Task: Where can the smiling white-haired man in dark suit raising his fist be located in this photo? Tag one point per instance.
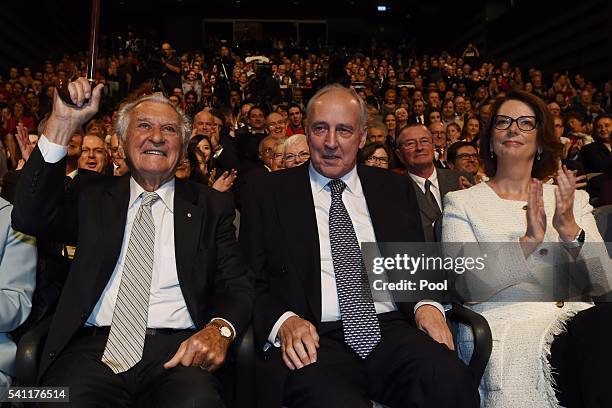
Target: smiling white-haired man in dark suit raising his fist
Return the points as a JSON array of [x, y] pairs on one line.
[[157, 290]]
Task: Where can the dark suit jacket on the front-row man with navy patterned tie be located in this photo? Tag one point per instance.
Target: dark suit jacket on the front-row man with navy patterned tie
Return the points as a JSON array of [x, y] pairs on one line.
[[280, 241]]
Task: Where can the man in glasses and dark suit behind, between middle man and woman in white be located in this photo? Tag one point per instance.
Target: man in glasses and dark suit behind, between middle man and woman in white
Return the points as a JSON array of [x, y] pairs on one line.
[[415, 151]]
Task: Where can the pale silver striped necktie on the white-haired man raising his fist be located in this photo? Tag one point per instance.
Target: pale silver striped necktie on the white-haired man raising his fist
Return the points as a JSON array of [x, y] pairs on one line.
[[128, 328]]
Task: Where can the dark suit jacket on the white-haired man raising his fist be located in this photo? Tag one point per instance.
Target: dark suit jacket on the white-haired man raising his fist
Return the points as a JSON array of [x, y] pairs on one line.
[[92, 215]]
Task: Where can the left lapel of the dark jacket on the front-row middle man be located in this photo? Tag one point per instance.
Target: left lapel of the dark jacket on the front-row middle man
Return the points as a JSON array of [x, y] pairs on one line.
[[298, 221]]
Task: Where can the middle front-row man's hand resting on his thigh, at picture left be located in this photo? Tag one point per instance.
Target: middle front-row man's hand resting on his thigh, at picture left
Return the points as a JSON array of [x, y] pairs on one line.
[[299, 342]]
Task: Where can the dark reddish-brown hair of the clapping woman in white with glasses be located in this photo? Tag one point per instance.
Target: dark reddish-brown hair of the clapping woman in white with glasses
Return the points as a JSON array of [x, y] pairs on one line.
[[548, 162]]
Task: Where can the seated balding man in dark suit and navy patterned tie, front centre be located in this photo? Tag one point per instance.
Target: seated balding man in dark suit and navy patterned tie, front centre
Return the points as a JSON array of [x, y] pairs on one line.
[[323, 340]]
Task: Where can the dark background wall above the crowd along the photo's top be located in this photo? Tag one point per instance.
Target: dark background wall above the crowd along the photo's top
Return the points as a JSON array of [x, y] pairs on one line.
[[552, 35]]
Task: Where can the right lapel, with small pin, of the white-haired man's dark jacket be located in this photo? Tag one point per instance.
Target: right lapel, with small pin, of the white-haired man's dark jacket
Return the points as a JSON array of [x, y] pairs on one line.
[[188, 220]]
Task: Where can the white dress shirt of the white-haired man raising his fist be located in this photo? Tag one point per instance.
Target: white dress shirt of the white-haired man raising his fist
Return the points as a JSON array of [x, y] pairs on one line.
[[167, 308]]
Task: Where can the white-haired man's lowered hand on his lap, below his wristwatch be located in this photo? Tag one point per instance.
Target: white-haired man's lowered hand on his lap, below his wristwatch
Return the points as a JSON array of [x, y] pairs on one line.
[[205, 349]]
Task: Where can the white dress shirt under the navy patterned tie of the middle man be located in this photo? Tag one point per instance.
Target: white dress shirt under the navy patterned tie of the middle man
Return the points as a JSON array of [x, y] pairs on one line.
[[356, 205]]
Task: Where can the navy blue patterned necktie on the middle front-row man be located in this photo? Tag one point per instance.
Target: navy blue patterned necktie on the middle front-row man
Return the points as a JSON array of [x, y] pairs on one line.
[[359, 320]]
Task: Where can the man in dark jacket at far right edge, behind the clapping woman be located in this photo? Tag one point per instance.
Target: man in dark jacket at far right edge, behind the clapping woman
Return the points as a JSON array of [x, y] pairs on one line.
[[596, 156]]
